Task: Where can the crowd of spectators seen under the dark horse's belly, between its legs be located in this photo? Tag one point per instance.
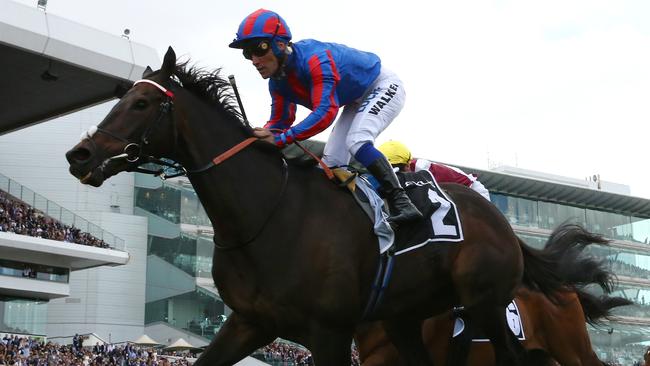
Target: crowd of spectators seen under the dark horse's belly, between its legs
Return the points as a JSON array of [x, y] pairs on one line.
[[287, 354]]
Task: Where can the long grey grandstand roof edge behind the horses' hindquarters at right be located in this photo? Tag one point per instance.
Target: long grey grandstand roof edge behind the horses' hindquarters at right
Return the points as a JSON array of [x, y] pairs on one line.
[[539, 188]]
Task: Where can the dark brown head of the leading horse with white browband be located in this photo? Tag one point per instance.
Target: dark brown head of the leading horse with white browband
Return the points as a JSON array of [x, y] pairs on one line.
[[139, 125]]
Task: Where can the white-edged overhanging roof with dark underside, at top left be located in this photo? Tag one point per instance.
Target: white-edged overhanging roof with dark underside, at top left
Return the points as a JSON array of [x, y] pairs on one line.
[[53, 66]]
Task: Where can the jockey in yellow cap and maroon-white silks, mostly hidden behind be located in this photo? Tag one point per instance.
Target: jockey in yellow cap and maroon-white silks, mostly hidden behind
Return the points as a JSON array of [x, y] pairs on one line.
[[400, 157]]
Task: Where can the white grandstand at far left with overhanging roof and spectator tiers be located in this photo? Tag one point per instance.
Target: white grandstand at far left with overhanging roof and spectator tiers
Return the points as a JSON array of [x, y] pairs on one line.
[[55, 67]]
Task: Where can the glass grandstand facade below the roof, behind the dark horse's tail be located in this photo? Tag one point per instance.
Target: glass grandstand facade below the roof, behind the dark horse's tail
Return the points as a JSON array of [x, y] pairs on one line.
[[620, 340]]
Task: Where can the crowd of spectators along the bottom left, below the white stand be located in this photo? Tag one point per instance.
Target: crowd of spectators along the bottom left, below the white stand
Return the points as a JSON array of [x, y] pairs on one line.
[[26, 351]]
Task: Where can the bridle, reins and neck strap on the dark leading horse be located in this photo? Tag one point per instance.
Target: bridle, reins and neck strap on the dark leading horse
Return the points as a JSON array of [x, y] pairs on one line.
[[133, 153]]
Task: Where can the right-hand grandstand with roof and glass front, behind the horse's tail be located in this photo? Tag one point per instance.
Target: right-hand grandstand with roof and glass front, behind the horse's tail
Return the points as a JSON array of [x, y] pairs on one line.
[[535, 203]]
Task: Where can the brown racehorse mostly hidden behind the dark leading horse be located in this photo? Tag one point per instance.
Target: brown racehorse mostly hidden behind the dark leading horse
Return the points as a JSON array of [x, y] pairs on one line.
[[553, 330]]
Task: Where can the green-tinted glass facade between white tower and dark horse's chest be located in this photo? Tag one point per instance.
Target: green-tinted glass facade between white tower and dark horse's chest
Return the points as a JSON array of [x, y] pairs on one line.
[[189, 301]]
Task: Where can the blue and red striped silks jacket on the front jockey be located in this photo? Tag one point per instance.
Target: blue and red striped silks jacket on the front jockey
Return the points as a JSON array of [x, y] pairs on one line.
[[322, 77]]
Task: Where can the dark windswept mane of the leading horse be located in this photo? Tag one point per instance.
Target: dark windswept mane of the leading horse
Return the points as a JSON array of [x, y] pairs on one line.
[[211, 87]]
